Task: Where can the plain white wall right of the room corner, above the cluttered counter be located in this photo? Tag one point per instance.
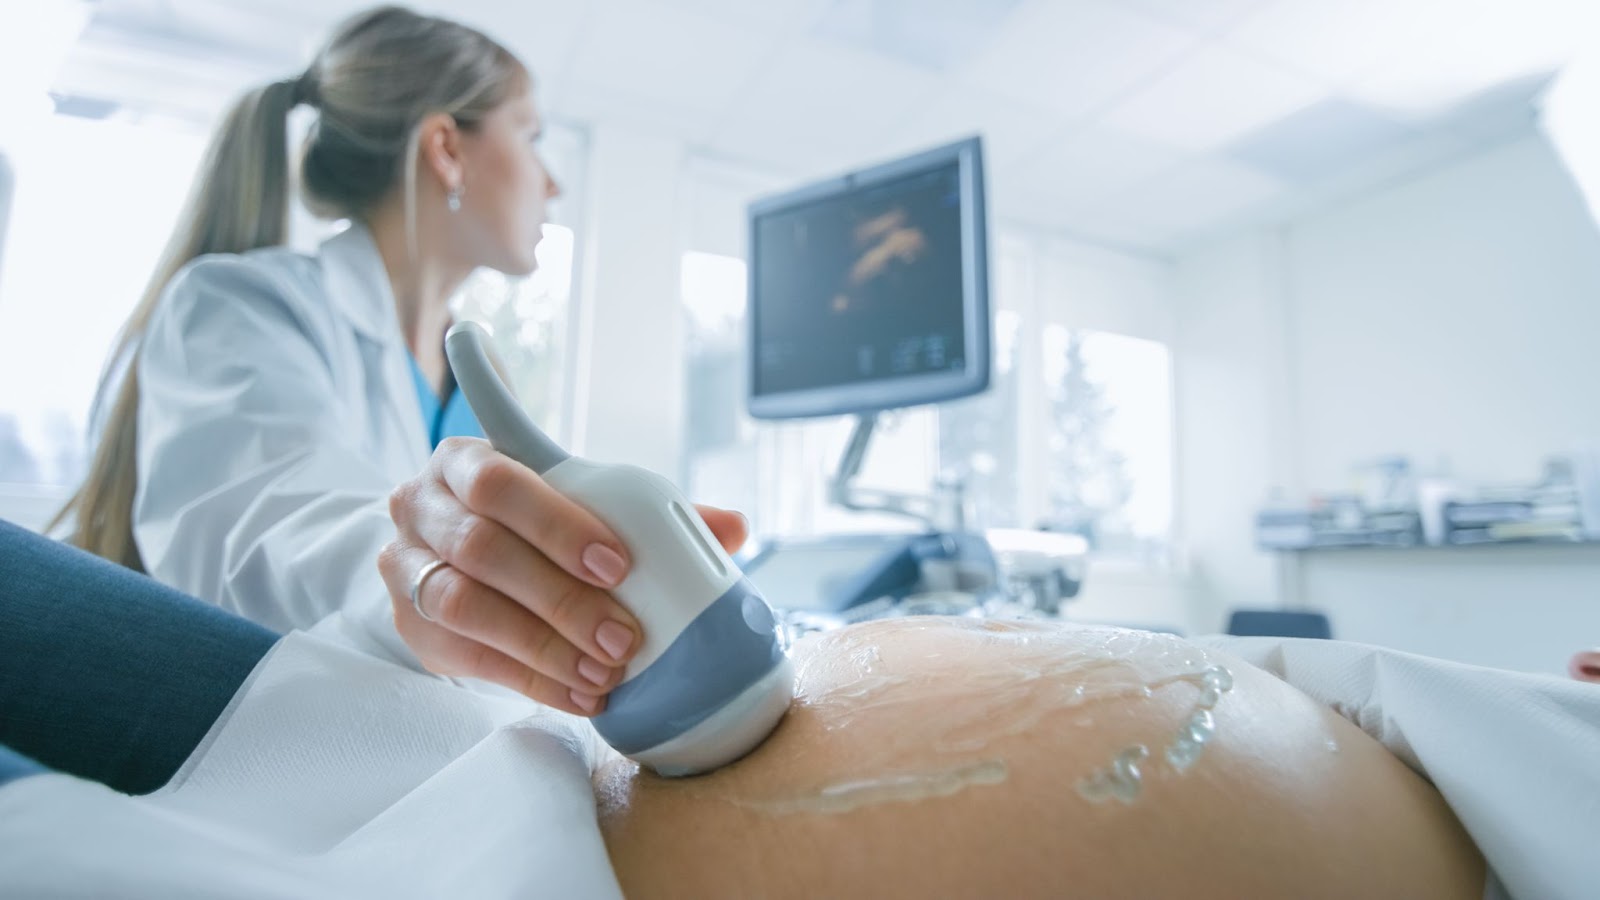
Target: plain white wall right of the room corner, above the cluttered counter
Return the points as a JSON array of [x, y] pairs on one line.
[[1452, 318]]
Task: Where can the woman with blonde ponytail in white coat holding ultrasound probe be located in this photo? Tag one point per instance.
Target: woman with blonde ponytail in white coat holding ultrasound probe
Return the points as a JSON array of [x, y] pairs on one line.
[[276, 401]]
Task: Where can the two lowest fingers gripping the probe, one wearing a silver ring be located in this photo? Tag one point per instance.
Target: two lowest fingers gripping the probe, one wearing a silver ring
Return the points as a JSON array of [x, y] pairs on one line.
[[481, 633]]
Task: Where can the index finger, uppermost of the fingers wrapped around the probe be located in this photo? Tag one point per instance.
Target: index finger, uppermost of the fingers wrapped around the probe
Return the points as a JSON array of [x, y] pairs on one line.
[[495, 486]]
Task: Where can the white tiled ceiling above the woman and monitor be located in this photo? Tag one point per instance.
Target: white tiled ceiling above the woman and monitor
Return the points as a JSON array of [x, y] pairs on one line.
[[1137, 124]]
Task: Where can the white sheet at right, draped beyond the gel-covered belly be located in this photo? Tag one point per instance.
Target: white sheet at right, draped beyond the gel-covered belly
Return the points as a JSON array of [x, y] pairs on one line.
[[1518, 757]]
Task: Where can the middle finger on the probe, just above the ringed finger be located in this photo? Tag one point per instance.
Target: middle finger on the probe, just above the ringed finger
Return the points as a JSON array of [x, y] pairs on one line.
[[497, 556]]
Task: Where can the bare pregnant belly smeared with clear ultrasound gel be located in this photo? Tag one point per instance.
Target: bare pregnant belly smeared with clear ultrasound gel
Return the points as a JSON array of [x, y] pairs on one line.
[[954, 758]]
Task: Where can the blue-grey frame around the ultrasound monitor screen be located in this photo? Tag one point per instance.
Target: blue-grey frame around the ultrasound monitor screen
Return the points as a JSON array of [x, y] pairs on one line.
[[889, 393]]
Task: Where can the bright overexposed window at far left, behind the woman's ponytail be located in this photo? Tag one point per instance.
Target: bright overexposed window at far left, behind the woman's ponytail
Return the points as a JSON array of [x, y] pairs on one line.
[[95, 204]]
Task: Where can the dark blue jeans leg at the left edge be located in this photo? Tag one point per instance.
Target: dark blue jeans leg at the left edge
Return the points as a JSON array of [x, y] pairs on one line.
[[105, 673]]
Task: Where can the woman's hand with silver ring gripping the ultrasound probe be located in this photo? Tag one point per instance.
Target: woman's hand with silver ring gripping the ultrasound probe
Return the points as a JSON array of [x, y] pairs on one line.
[[521, 597]]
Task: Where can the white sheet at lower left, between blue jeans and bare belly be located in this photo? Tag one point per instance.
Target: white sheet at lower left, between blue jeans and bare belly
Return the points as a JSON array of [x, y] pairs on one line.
[[393, 785]]
